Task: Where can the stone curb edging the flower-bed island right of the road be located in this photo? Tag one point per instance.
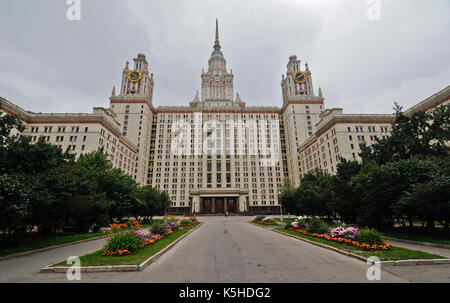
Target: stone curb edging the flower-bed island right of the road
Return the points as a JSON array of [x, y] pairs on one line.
[[411, 262]]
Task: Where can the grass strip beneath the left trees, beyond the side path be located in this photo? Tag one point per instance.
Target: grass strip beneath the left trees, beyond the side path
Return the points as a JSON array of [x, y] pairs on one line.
[[37, 242]]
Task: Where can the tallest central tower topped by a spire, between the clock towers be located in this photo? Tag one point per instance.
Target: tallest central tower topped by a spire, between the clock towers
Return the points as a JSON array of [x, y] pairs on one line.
[[217, 82]]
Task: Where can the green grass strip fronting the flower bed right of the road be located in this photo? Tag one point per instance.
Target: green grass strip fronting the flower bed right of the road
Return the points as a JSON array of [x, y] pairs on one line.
[[396, 253]]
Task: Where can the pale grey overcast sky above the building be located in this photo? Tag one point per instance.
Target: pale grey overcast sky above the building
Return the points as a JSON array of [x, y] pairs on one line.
[[50, 64]]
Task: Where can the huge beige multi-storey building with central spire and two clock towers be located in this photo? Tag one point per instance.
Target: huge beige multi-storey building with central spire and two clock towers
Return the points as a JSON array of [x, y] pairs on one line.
[[216, 154]]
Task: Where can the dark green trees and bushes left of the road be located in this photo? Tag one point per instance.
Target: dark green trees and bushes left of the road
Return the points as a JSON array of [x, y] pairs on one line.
[[42, 186]]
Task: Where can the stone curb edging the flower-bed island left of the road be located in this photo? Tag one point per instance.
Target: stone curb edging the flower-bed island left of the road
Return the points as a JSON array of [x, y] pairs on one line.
[[118, 268]]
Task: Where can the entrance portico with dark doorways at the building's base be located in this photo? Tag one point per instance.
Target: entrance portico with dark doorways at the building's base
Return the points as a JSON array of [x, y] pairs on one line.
[[219, 200]]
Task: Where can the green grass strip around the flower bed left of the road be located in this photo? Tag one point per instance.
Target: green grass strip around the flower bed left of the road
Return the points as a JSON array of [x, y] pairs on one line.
[[96, 258]]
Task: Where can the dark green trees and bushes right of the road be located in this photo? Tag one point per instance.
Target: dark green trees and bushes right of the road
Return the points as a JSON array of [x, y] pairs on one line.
[[402, 179]]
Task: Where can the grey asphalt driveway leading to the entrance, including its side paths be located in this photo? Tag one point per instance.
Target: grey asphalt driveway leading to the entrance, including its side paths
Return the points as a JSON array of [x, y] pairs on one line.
[[228, 249]]
